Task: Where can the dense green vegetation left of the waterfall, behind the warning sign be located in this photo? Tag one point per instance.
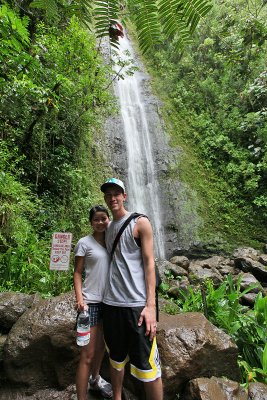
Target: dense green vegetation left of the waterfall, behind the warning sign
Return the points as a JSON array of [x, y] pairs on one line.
[[53, 103]]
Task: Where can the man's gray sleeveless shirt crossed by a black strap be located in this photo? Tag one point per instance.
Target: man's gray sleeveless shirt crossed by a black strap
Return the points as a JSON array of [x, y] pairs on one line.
[[126, 280]]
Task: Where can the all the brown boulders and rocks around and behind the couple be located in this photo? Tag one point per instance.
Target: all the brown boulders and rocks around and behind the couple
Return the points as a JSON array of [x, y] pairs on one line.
[[38, 350]]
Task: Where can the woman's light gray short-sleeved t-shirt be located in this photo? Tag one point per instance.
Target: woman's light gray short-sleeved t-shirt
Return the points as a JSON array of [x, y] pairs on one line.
[[96, 265]]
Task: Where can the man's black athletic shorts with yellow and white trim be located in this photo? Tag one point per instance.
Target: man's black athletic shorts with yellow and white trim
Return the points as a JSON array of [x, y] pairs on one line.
[[126, 341]]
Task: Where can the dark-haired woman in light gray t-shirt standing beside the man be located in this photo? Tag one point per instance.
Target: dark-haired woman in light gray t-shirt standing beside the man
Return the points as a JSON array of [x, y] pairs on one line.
[[92, 258]]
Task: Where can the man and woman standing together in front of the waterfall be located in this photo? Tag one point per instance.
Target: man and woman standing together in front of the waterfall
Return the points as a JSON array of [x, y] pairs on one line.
[[126, 285]]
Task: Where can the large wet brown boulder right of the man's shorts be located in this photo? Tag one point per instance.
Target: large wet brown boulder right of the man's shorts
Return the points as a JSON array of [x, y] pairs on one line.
[[191, 347]]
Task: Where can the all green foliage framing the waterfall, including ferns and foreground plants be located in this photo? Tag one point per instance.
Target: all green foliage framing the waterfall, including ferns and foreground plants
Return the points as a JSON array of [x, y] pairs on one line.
[[54, 99]]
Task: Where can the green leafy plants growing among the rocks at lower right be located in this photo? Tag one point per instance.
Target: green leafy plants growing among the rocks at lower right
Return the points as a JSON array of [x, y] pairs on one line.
[[247, 327]]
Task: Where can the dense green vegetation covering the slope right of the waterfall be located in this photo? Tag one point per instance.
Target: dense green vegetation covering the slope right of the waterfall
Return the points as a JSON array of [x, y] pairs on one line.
[[214, 98]]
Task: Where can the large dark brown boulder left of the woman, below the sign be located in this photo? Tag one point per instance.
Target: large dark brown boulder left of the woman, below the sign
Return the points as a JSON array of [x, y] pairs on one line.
[[40, 350]]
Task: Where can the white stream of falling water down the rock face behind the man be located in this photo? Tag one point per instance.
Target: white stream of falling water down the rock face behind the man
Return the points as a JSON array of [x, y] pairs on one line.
[[142, 183]]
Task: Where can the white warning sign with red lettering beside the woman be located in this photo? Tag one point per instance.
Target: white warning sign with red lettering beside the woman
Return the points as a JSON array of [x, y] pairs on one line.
[[60, 252]]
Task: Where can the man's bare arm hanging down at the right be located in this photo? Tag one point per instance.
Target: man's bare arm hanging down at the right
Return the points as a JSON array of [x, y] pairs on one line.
[[144, 232]]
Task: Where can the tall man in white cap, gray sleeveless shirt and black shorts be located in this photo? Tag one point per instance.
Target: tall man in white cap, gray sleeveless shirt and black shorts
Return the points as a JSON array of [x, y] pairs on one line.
[[129, 299]]
